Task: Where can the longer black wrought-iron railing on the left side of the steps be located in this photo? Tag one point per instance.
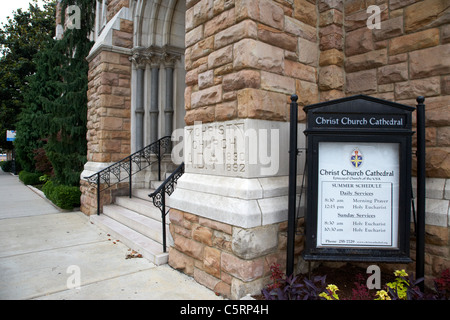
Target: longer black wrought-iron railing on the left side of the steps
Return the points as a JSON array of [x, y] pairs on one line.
[[123, 169]]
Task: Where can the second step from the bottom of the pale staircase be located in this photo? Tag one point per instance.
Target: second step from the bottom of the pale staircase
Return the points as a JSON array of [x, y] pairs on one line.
[[147, 226]]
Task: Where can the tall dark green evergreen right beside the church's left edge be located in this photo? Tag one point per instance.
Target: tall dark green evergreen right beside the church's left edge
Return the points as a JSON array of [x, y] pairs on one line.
[[52, 128]]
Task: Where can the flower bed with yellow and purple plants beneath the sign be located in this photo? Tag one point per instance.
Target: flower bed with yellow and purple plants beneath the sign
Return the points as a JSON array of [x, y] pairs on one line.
[[349, 283]]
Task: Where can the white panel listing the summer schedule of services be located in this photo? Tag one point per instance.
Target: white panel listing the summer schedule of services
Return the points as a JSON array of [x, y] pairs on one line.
[[358, 191]]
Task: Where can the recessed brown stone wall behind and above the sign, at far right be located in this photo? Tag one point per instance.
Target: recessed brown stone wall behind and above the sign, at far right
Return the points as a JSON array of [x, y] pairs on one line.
[[407, 57]]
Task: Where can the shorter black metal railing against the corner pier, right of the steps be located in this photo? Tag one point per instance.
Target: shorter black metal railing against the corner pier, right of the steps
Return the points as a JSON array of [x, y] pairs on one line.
[[159, 197]]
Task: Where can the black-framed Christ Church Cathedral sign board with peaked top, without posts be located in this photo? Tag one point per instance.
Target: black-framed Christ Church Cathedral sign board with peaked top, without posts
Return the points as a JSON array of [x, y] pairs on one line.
[[359, 180]]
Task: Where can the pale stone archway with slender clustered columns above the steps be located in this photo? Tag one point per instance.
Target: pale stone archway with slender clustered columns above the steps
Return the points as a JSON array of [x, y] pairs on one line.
[[158, 72]]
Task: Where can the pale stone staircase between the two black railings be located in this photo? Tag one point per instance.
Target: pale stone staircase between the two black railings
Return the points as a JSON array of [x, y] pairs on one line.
[[136, 222]]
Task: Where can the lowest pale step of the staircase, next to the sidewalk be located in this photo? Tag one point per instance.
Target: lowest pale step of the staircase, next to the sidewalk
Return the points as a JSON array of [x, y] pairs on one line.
[[149, 248]]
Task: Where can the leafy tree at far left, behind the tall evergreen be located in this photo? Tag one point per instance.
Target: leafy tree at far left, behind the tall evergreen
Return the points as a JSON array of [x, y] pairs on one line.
[[20, 39]]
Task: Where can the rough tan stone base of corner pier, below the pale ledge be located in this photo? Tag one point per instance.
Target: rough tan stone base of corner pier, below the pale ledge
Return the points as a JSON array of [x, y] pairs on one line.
[[230, 260]]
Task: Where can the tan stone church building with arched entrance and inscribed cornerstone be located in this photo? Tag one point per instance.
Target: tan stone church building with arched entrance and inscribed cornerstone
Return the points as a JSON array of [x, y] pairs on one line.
[[212, 71]]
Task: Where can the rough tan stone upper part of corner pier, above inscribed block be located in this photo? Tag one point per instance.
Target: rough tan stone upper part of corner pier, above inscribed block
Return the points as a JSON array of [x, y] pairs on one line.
[[243, 57]]
